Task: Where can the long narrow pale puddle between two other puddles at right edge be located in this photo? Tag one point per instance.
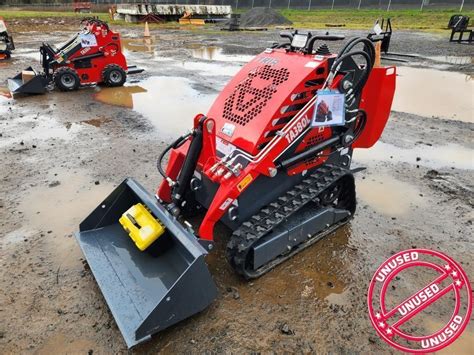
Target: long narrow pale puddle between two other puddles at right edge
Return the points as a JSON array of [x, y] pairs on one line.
[[450, 155]]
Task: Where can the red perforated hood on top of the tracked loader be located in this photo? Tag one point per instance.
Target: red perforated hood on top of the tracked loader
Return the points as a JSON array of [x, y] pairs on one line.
[[262, 92]]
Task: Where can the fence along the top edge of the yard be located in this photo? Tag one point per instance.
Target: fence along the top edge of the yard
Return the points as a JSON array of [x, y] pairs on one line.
[[387, 5]]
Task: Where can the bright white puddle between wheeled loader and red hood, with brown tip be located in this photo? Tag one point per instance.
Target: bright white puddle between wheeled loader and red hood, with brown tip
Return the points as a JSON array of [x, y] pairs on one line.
[[169, 103]]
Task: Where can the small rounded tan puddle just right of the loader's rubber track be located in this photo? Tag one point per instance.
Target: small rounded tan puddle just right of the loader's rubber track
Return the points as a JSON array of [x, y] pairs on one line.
[[388, 195]]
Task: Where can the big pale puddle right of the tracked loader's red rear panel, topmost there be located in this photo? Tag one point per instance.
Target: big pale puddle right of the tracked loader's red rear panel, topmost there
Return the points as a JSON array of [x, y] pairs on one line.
[[434, 93]]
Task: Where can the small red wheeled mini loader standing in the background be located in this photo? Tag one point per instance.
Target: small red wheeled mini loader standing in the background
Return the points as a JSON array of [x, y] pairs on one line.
[[92, 56]]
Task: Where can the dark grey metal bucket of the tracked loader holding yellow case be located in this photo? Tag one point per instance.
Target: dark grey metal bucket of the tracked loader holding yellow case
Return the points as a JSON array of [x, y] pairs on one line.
[[151, 290]]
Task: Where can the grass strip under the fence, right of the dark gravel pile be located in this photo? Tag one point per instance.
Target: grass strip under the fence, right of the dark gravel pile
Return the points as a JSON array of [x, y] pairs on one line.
[[430, 20]]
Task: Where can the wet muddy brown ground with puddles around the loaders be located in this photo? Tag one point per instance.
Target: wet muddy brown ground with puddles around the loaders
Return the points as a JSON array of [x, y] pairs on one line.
[[62, 153]]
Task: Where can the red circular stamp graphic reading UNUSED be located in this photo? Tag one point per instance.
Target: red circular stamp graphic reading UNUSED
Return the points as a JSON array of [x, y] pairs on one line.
[[450, 281]]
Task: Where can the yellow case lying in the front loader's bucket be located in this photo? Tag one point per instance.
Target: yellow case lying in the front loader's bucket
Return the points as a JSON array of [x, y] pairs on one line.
[[141, 226]]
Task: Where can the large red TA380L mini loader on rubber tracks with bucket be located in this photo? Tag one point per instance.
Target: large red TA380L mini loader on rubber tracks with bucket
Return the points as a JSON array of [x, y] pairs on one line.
[[260, 163]]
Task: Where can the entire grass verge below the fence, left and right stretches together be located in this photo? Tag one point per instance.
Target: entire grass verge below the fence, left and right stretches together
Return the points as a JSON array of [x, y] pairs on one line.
[[429, 20]]
